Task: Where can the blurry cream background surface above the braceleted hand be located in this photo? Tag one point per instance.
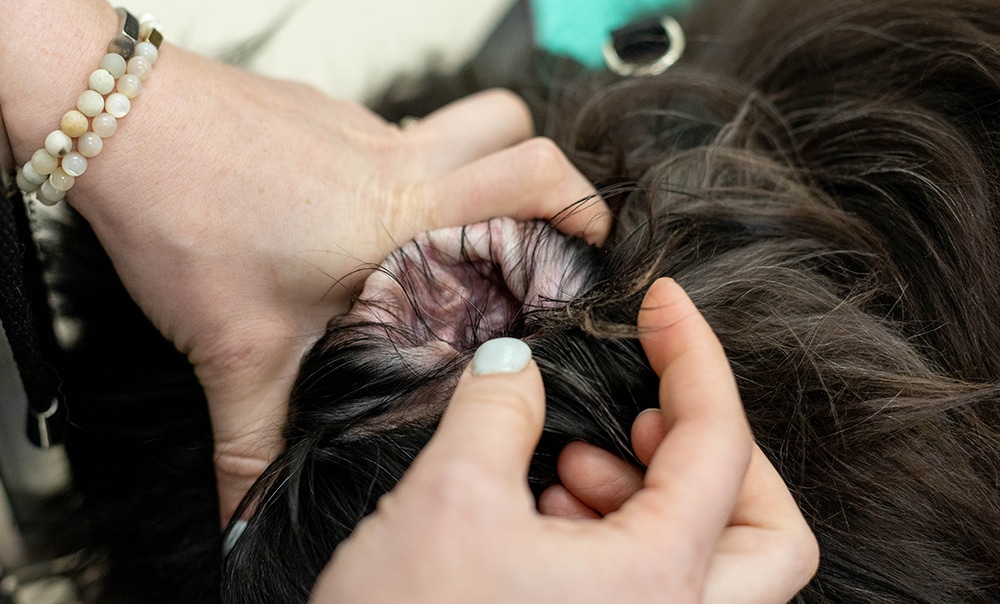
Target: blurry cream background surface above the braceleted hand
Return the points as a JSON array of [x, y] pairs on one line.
[[344, 48]]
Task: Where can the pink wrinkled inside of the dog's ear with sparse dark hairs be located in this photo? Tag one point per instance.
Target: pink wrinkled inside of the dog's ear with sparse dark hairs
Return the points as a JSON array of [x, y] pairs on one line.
[[459, 287]]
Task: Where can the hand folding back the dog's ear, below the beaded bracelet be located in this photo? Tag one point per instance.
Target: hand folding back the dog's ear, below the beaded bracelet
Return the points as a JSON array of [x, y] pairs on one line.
[[243, 265]]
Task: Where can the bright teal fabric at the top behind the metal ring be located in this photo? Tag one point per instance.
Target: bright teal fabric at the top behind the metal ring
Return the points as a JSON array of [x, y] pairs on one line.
[[578, 28]]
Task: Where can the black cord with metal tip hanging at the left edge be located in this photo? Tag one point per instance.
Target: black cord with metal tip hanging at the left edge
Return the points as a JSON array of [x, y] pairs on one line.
[[27, 321]]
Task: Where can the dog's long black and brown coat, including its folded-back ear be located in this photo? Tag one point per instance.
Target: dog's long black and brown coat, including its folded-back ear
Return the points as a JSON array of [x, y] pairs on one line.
[[822, 179]]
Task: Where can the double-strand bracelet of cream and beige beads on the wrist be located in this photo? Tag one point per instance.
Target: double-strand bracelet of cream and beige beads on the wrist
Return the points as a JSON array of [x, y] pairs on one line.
[[53, 169]]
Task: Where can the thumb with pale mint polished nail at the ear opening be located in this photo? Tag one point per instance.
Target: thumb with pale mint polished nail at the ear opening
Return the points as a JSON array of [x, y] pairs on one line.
[[496, 415]]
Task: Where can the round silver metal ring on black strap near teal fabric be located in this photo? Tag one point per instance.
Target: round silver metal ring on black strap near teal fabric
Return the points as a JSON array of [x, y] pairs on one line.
[[646, 47]]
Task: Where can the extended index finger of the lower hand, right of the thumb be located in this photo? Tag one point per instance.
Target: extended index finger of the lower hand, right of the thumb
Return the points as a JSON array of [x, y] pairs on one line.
[[695, 476]]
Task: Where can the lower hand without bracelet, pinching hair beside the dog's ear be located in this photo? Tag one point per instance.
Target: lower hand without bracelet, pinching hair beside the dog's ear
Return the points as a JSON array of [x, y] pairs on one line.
[[712, 521]]
